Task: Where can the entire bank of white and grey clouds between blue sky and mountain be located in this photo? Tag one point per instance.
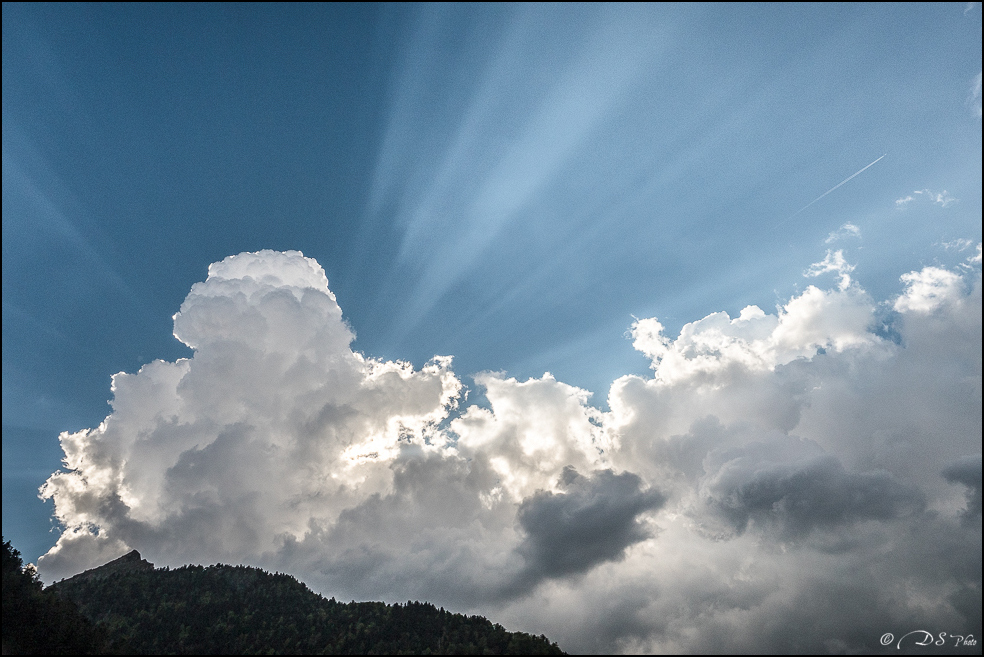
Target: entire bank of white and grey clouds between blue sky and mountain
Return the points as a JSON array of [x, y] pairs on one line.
[[802, 481]]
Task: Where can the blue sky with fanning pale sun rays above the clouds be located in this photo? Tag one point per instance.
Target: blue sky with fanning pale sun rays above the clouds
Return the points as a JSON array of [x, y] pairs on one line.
[[511, 185]]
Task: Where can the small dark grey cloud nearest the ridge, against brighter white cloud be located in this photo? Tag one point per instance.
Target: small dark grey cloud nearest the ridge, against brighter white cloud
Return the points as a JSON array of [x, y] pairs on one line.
[[594, 520]]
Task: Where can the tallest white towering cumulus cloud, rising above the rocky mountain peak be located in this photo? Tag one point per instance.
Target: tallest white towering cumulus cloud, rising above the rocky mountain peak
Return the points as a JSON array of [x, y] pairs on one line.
[[271, 430]]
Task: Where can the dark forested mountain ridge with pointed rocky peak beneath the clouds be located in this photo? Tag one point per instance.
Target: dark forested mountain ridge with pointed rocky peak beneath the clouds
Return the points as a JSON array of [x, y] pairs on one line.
[[133, 607]]
